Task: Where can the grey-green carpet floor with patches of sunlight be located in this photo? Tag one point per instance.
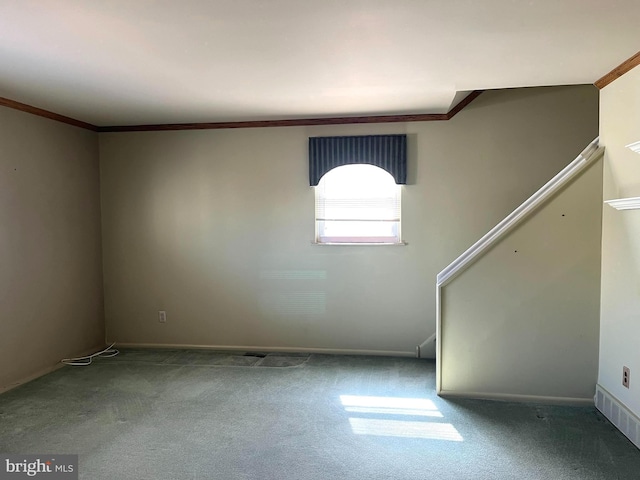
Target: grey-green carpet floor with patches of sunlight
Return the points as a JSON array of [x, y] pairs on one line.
[[172, 414]]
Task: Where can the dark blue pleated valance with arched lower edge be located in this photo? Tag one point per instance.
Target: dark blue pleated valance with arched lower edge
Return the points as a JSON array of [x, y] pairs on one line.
[[385, 151]]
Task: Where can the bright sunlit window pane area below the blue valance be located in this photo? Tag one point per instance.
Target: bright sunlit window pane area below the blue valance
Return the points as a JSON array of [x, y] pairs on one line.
[[358, 204]]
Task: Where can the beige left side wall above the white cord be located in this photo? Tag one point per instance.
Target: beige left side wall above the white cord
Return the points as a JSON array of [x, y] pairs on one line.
[[51, 302]]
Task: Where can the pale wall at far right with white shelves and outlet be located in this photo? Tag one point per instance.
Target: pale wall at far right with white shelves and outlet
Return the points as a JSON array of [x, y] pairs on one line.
[[620, 311]]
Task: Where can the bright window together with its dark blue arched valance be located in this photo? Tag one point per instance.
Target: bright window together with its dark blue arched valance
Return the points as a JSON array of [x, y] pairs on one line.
[[358, 182]]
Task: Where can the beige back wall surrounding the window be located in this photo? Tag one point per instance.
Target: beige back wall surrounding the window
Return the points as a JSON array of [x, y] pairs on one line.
[[215, 227]]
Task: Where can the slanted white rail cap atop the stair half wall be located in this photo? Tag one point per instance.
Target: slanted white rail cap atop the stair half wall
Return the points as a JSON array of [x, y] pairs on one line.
[[590, 153]]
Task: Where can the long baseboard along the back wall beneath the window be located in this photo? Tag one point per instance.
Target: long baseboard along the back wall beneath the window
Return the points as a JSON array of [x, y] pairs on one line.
[[254, 348]]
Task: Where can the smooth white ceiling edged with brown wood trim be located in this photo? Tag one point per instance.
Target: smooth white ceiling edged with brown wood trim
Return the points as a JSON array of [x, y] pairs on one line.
[[126, 62]]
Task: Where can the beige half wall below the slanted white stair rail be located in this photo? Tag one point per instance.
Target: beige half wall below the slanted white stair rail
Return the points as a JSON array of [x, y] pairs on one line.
[[524, 319]]
